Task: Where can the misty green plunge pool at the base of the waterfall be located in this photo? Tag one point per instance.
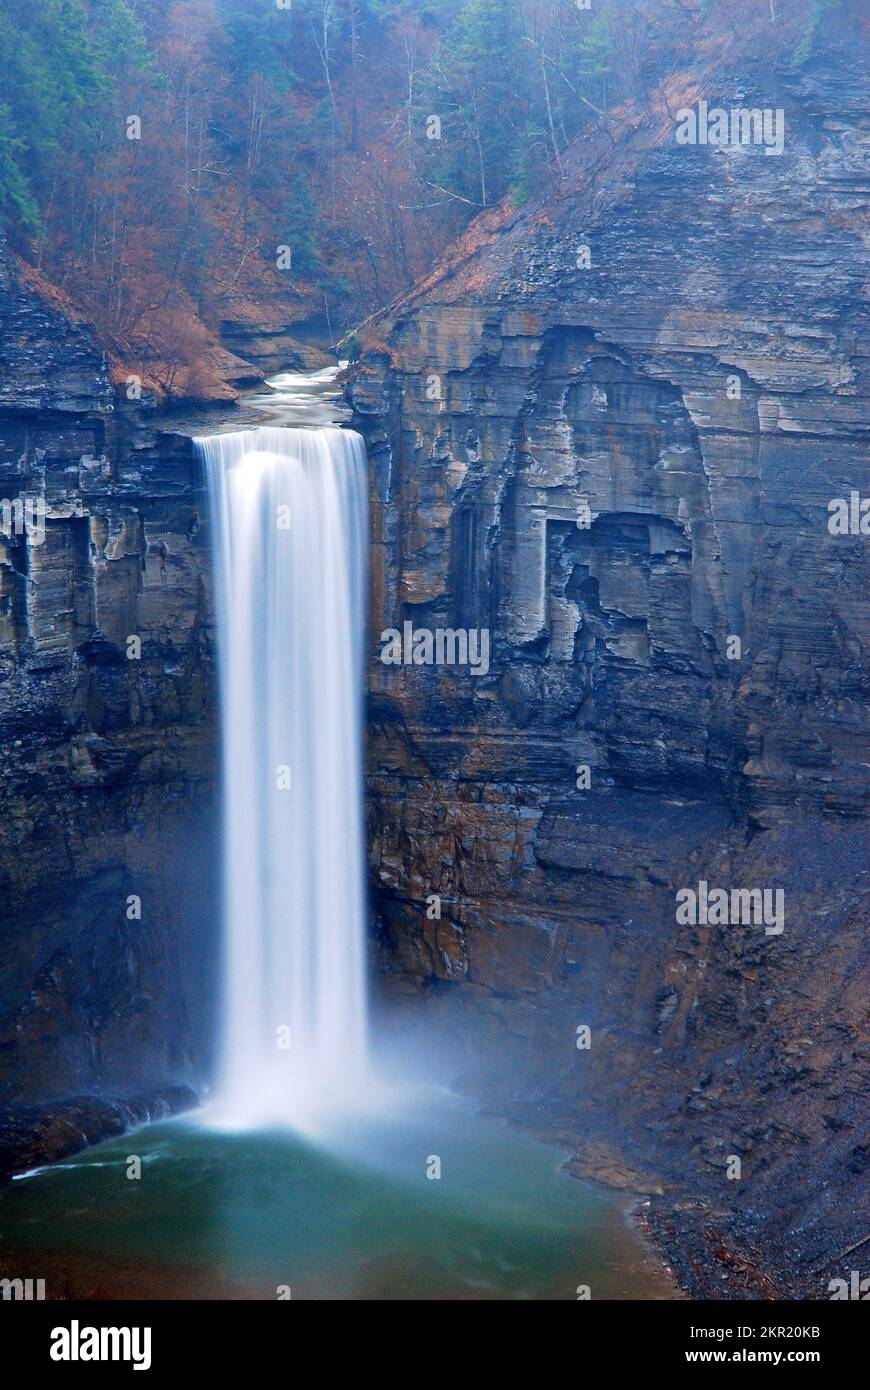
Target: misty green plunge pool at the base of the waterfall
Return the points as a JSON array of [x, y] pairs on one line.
[[254, 1216]]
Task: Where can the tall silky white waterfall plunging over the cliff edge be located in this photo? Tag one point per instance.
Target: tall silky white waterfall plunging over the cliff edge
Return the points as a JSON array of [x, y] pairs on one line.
[[288, 509]]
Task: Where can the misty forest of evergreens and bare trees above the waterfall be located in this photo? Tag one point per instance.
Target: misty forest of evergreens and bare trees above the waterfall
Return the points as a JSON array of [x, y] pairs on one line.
[[169, 163]]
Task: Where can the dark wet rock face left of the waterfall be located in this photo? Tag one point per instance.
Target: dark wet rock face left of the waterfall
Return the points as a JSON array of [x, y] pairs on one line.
[[106, 723]]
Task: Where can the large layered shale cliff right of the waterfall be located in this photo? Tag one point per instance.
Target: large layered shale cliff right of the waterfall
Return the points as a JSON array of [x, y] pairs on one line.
[[608, 429]]
